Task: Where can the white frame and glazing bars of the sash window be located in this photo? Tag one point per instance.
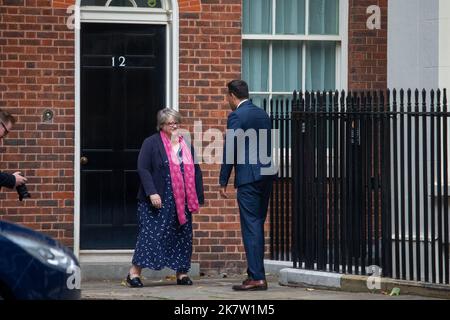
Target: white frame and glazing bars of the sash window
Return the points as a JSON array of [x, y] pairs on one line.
[[341, 48]]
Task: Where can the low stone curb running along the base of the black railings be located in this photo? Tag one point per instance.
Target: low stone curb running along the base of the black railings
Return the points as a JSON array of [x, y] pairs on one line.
[[351, 283]]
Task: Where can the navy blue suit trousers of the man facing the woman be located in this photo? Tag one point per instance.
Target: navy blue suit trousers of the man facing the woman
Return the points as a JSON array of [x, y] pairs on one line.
[[253, 200]]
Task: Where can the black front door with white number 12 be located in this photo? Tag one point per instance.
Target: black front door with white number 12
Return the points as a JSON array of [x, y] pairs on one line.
[[122, 88]]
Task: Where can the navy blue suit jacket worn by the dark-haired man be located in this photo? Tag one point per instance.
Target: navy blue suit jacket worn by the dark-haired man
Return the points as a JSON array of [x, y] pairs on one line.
[[247, 116]]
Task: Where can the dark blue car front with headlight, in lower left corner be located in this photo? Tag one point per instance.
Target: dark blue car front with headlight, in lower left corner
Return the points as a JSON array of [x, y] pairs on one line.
[[36, 267]]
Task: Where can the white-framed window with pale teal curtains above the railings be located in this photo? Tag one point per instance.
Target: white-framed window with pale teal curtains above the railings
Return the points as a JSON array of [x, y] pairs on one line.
[[291, 45]]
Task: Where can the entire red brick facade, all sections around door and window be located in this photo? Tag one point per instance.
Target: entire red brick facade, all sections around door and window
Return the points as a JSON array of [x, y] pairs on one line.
[[37, 73]]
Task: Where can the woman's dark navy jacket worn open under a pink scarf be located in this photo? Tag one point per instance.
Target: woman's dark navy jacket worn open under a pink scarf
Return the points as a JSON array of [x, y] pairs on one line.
[[153, 167]]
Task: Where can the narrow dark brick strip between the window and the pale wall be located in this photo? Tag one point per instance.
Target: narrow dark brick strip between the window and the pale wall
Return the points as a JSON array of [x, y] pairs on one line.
[[367, 48]]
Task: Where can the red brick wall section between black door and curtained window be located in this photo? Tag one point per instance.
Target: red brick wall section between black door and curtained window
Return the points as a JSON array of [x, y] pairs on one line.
[[210, 56]]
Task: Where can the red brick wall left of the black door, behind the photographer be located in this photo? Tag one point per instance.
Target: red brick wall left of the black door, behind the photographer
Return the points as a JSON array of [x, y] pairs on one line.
[[36, 73]]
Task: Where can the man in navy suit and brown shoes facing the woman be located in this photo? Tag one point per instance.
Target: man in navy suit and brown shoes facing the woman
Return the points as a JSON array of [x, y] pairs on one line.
[[248, 149]]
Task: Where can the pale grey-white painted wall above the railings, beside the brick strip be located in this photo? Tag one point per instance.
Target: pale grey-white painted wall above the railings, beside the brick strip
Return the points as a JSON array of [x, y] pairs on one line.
[[413, 43]]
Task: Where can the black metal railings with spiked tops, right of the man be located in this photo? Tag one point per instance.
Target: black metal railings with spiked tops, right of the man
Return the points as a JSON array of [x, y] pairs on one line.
[[363, 181]]
